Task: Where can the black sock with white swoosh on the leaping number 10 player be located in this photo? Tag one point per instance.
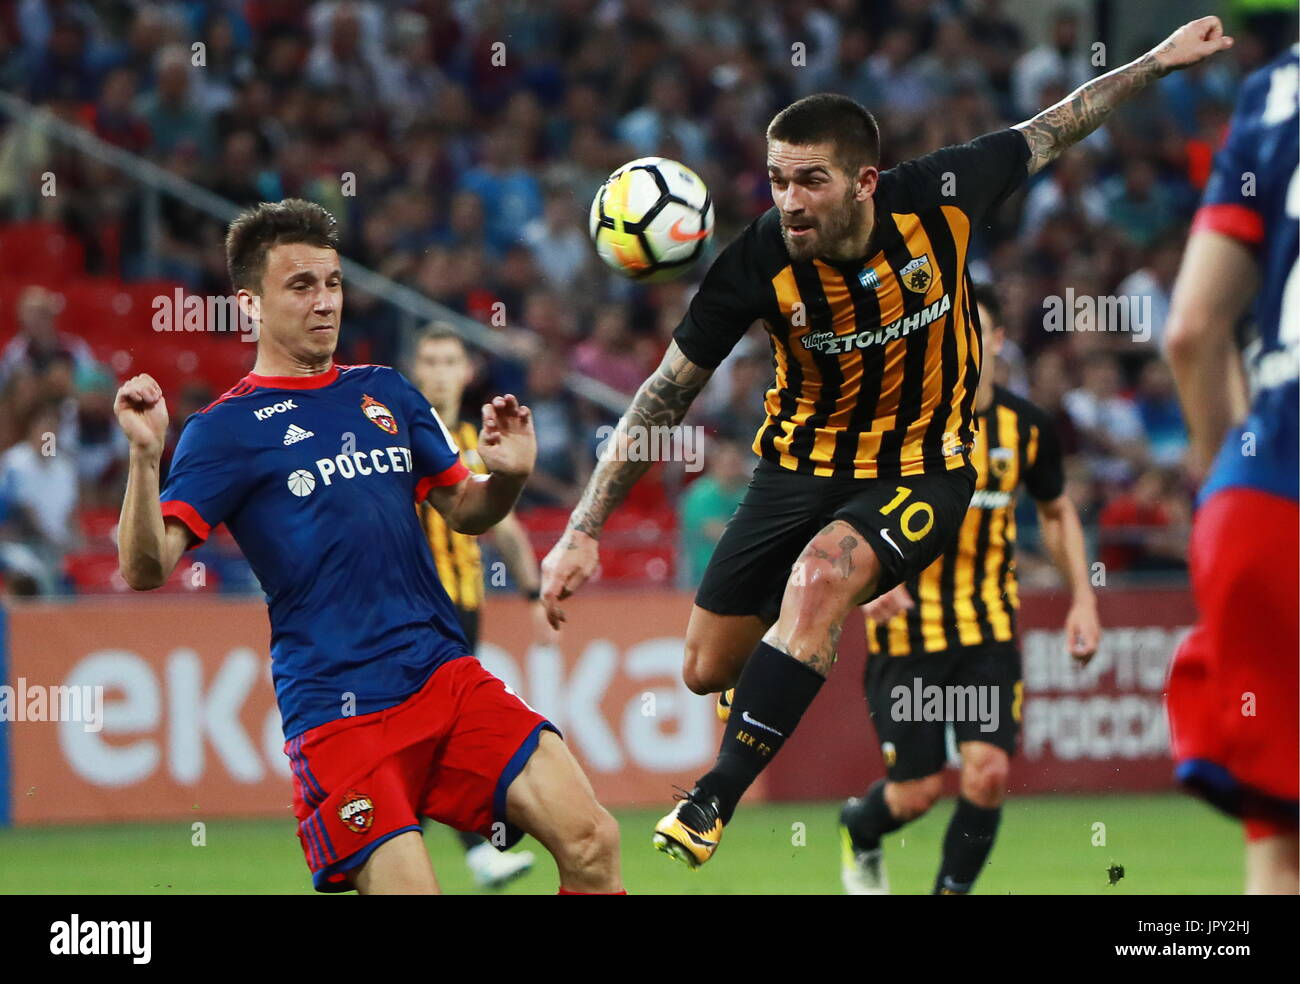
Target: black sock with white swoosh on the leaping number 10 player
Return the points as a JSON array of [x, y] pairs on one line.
[[772, 696]]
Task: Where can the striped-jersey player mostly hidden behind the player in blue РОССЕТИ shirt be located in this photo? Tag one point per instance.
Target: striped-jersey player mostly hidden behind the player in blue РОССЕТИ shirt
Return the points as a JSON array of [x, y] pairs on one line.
[[441, 371]]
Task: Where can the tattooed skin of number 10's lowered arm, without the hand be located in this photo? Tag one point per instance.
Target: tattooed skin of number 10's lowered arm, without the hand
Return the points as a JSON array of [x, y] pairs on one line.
[[662, 402]]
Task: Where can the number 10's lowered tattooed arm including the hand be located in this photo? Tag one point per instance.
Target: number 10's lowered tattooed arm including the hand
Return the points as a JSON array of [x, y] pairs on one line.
[[662, 402]]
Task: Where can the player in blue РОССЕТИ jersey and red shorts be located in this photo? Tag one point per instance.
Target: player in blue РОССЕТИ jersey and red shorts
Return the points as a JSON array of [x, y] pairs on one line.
[[356, 606]]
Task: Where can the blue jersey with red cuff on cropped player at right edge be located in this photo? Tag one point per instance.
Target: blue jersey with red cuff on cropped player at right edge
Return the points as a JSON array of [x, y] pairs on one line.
[[1254, 197]]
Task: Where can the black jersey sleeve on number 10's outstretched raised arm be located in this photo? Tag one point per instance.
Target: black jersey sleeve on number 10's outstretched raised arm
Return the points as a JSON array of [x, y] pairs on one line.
[[976, 176]]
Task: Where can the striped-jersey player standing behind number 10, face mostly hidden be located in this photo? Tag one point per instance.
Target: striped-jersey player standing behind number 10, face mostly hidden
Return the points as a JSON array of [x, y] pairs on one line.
[[955, 626]]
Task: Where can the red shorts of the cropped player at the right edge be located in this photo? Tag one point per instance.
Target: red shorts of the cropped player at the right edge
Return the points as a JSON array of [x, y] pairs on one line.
[[1232, 693]]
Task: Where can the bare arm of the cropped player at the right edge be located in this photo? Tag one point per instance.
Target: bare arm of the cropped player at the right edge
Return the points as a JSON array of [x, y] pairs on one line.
[[1215, 285]]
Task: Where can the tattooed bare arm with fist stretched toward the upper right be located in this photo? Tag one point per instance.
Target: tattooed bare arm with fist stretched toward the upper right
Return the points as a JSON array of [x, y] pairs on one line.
[[1085, 110]]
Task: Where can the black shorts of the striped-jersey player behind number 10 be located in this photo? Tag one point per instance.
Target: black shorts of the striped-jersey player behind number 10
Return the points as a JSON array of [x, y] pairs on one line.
[[978, 693]]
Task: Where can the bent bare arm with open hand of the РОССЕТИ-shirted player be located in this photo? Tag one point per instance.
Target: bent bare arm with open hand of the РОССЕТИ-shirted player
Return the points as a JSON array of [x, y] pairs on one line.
[[509, 448]]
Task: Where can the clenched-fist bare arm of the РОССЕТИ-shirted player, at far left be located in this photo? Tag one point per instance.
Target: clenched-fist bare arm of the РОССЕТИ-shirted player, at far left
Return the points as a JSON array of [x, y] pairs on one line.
[[148, 548]]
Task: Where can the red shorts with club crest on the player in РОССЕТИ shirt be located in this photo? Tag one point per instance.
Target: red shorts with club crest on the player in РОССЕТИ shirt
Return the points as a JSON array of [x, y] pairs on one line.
[[449, 753]]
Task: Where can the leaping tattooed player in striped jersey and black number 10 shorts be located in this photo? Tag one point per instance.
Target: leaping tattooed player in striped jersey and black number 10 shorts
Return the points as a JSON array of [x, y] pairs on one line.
[[860, 279]]
